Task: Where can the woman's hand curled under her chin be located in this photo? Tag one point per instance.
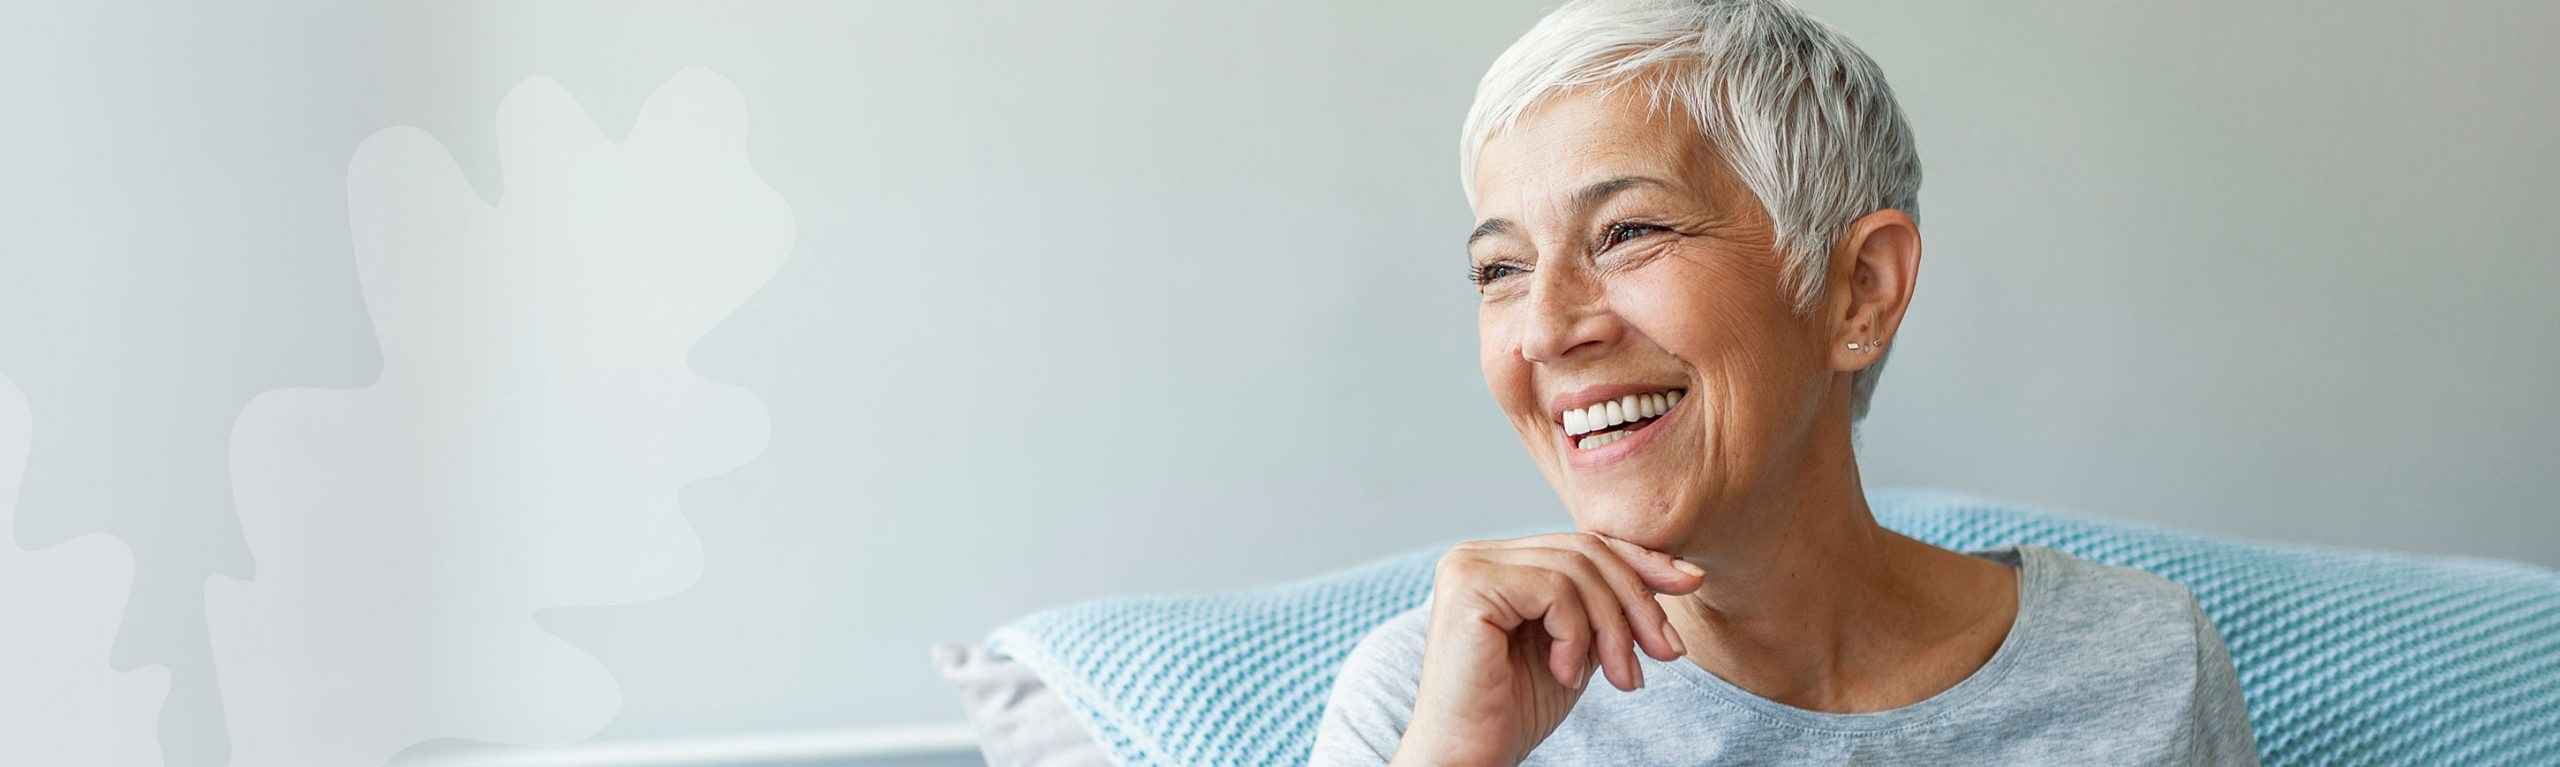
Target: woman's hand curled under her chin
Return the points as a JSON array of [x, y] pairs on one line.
[[1517, 628]]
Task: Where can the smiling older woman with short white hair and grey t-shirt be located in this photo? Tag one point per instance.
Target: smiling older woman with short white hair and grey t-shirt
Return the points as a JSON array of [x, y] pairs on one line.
[[1693, 247]]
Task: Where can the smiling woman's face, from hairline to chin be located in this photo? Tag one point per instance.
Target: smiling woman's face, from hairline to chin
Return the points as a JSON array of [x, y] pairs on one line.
[[1619, 260]]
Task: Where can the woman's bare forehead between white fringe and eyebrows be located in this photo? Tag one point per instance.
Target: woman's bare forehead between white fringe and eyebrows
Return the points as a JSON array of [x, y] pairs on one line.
[[1583, 137]]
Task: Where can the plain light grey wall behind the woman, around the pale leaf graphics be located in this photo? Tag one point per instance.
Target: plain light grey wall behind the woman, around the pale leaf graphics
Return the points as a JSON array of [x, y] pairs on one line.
[[1102, 298]]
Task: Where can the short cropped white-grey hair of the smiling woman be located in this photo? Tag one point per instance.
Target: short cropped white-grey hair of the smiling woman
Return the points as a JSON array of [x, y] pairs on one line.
[[1791, 106]]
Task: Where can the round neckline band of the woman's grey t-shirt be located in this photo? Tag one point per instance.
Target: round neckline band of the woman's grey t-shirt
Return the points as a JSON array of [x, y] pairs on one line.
[[2031, 589]]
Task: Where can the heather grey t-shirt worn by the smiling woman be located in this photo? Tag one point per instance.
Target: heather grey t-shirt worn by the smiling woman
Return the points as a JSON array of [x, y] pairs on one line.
[[2103, 666]]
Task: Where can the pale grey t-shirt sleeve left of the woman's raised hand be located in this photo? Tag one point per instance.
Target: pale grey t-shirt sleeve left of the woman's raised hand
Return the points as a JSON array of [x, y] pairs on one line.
[[1373, 697]]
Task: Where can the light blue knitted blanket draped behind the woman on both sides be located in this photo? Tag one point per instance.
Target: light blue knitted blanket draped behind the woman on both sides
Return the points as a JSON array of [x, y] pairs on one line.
[[2344, 656]]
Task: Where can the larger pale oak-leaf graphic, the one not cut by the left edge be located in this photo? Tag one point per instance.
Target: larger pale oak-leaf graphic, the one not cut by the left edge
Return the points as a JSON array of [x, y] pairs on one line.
[[524, 446]]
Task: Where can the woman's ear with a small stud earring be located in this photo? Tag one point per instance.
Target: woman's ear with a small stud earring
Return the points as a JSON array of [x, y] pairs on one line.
[[1873, 285]]
